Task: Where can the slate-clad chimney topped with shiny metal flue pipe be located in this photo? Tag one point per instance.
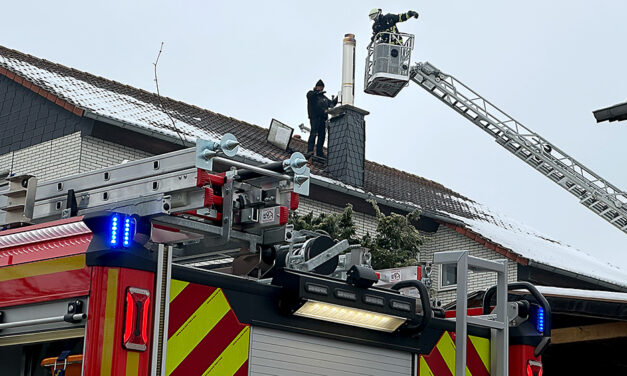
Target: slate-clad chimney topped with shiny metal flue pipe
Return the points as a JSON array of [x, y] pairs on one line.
[[346, 148]]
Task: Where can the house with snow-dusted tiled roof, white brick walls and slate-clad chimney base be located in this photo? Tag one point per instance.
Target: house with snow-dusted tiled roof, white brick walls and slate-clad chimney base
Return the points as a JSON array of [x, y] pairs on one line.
[[57, 121]]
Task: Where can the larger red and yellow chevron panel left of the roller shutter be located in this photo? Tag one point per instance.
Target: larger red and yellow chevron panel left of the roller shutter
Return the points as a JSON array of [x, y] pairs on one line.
[[204, 335]]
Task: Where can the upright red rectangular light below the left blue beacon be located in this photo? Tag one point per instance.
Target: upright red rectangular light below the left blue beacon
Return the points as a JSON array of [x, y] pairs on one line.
[[136, 318]]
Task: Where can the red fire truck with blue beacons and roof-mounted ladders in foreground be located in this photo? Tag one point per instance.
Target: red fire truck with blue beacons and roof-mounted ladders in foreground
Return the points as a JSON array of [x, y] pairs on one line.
[[185, 264]]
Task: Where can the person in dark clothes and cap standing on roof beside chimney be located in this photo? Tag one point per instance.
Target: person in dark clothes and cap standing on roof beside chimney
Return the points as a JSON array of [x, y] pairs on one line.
[[317, 106]]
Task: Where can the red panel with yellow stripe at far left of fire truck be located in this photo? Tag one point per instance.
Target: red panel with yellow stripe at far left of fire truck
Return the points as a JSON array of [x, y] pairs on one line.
[[46, 280]]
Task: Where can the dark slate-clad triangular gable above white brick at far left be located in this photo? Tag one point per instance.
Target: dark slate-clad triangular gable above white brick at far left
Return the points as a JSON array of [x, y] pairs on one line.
[[28, 119]]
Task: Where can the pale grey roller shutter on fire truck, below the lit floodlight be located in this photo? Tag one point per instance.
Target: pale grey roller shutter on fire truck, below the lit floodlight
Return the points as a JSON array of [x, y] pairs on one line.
[[280, 353]]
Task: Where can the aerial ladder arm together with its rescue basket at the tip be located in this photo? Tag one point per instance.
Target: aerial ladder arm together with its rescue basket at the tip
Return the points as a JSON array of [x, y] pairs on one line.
[[388, 70]]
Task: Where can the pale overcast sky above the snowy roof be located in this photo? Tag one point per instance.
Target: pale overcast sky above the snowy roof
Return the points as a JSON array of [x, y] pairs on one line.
[[549, 64]]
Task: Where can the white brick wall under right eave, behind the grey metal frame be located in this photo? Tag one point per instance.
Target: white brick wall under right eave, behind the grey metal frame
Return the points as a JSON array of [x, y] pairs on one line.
[[446, 239]]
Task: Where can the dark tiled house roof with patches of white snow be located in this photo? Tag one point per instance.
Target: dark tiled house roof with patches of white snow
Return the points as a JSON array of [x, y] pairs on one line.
[[110, 101]]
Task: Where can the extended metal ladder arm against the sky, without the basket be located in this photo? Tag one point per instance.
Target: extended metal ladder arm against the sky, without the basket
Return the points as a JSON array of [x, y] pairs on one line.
[[592, 191]]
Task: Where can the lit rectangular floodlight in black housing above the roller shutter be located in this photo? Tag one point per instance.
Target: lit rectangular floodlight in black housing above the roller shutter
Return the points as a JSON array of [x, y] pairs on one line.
[[322, 298]]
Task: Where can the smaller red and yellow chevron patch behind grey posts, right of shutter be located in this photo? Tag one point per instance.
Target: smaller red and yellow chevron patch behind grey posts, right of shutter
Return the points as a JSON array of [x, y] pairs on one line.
[[441, 360]]
